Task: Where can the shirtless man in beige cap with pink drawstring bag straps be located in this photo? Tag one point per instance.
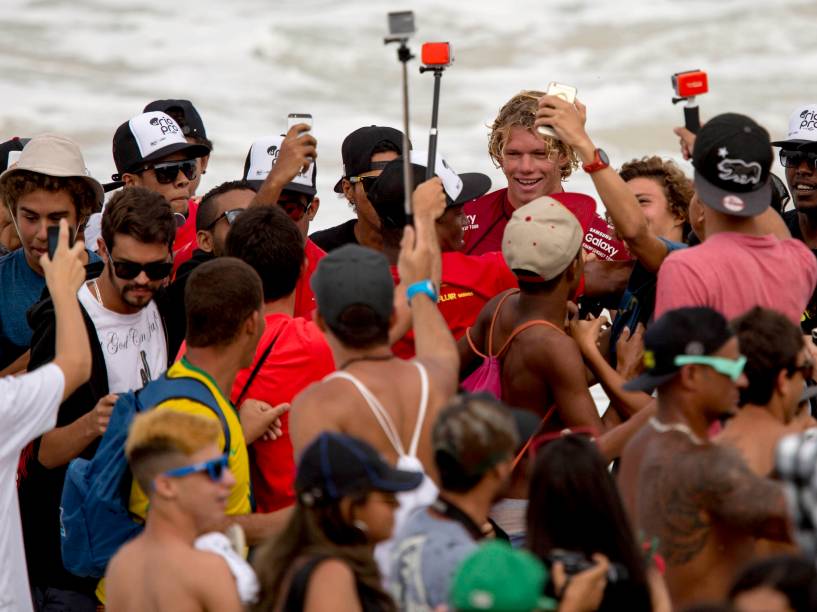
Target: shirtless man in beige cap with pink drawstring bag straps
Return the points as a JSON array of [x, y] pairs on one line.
[[542, 367]]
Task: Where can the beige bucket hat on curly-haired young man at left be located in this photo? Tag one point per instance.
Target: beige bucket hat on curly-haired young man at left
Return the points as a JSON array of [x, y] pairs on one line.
[[53, 155]]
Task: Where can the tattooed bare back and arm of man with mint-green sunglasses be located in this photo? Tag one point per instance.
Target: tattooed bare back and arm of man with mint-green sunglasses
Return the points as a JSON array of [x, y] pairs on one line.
[[703, 505]]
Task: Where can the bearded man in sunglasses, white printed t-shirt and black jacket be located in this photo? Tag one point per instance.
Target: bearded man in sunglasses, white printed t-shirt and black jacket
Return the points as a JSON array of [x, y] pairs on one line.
[[130, 346]]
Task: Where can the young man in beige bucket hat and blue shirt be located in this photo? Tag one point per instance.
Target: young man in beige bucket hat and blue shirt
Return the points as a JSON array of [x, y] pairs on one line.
[[49, 182]]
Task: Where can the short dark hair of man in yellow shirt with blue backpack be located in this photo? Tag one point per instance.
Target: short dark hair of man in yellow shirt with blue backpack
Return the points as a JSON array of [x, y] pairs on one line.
[[219, 297]]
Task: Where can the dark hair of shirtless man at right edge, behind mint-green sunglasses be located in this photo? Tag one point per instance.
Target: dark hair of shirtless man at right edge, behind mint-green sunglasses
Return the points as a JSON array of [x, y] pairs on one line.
[[770, 343]]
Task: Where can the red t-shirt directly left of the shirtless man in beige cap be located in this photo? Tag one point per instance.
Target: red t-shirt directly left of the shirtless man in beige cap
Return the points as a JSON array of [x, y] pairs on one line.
[[468, 283]]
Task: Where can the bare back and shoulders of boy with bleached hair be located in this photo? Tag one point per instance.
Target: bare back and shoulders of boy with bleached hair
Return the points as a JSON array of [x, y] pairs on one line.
[[150, 573]]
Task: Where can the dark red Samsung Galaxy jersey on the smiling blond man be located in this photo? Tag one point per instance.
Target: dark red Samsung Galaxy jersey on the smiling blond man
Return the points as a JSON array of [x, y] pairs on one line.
[[486, 218]]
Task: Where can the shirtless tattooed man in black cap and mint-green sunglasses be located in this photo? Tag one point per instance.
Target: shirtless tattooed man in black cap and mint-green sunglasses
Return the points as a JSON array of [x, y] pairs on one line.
[[699, 501]]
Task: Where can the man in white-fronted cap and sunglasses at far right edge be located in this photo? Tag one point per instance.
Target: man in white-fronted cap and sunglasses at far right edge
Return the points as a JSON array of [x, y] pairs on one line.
[[798, 155]]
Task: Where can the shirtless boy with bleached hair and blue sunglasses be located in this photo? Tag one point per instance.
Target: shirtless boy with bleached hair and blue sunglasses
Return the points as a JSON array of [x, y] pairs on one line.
[[176, 456]]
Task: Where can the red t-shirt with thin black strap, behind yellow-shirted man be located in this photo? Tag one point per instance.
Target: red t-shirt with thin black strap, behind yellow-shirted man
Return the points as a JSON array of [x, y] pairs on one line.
[[300, 357]]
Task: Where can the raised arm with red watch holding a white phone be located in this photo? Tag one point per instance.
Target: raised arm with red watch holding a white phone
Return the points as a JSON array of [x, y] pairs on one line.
[[623, 207]]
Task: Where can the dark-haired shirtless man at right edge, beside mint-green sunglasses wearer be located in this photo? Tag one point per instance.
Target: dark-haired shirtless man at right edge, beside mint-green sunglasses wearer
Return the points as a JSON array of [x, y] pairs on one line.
[[777, 365]]
